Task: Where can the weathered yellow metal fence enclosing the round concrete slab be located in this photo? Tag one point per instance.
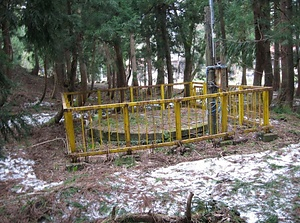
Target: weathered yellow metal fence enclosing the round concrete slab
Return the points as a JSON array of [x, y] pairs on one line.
[[147, 119]]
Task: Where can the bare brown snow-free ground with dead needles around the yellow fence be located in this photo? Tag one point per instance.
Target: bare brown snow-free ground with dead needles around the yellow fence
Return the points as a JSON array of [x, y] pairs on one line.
[[46, 146]]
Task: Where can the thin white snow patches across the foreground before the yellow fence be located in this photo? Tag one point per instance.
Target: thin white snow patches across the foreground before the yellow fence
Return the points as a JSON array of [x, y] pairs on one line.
[[257, 185]]
